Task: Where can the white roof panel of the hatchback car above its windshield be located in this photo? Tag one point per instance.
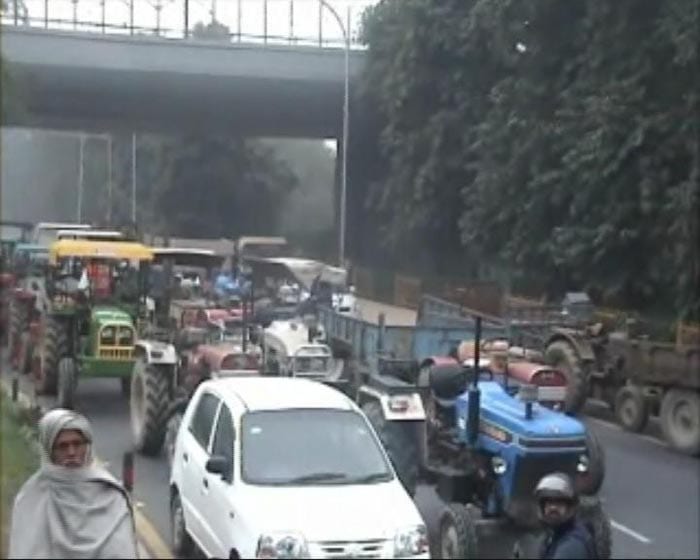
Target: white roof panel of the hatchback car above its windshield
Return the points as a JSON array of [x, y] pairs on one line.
[[279, 393]]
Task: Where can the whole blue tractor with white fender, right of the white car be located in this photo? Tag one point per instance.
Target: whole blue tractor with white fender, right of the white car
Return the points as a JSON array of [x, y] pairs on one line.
[[483, 448]]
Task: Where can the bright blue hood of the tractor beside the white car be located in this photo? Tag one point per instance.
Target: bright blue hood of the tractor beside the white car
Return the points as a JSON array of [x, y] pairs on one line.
[[500, 409]]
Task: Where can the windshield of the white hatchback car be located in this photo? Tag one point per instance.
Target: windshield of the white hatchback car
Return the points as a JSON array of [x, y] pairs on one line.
[[315, 446]]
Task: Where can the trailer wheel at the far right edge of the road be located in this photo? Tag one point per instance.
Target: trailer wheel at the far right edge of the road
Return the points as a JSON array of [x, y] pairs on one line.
[[680, 420]]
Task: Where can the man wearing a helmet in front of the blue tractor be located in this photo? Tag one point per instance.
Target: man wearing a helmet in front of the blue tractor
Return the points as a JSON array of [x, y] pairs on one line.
[[567, 537]]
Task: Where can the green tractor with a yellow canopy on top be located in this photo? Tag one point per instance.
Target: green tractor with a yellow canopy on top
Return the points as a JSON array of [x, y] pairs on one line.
[[97, 302]]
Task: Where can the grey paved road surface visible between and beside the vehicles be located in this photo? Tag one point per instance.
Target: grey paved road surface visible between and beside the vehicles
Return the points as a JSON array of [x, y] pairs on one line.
[[651, 493]]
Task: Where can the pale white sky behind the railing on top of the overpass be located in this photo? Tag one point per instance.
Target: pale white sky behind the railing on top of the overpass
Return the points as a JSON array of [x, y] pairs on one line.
[[279, 16]]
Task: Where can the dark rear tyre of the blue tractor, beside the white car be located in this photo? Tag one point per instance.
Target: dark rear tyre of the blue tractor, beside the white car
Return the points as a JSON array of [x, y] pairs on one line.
[[400, 441]]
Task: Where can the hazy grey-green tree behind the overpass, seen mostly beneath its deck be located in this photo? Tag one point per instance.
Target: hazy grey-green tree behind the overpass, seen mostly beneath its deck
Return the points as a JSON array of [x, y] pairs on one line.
[[199, 184]]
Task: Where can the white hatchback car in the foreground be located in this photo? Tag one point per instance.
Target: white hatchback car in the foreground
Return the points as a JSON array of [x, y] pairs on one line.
[[268, 467]]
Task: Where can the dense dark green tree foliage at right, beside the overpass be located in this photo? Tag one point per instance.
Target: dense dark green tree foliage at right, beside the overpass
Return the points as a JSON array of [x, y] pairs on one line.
[[558, 139]]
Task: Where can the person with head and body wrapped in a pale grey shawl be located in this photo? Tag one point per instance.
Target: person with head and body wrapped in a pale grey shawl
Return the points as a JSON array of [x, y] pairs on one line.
[[71, 508]]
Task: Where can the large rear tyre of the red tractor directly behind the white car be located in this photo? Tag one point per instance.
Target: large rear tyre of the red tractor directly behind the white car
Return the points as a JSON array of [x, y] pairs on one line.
[[148, 405]]
